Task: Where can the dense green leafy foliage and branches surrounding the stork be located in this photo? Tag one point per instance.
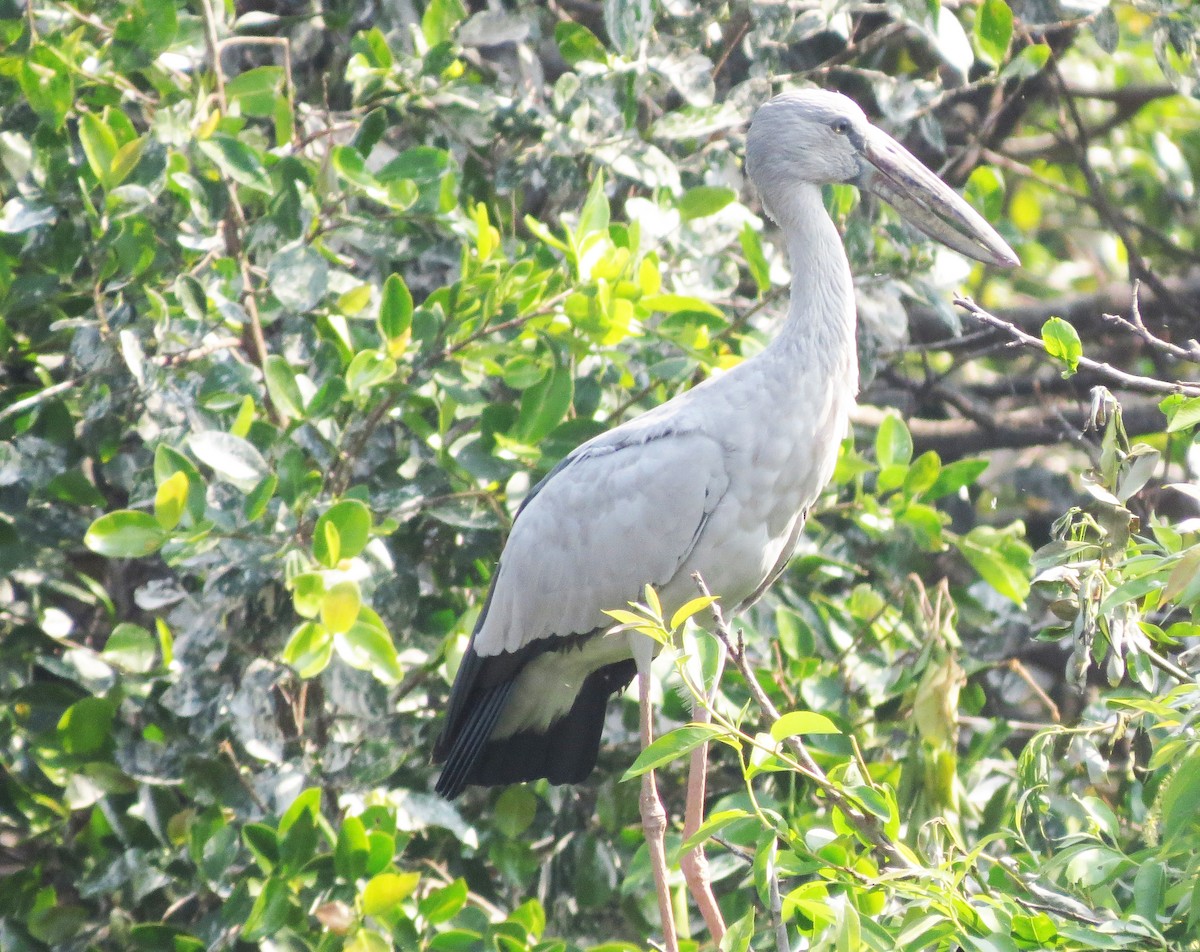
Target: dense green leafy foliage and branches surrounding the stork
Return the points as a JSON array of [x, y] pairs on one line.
[[296, 304]]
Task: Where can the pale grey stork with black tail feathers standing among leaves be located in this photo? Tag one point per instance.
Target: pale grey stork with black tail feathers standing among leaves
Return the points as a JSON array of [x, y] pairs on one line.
[[717, 481]]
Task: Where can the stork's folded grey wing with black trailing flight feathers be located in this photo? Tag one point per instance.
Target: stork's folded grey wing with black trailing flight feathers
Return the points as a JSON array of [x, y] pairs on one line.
[[623, 511]]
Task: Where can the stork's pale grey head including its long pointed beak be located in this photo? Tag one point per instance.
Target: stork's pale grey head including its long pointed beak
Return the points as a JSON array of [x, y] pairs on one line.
[[817, 137]]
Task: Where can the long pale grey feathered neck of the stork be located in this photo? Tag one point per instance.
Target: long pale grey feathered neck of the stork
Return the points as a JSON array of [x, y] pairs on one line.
[[820, 331]]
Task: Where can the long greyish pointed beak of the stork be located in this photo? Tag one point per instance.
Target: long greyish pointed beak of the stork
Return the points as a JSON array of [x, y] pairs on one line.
[[899, 178]]
